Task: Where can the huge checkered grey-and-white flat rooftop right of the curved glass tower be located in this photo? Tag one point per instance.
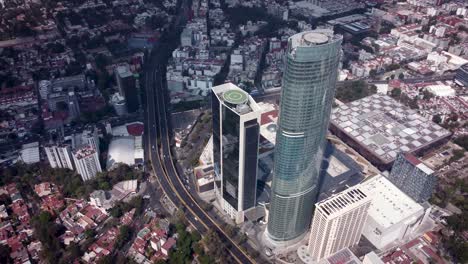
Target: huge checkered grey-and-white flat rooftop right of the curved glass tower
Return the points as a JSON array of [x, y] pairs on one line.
[[385, 127]]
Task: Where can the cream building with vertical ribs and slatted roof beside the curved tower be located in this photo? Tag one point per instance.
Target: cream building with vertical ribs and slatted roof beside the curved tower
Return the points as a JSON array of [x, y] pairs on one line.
[[338, 224]]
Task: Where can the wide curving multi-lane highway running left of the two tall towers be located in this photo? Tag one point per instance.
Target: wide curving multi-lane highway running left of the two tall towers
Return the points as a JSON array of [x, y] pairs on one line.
[[158, 149]]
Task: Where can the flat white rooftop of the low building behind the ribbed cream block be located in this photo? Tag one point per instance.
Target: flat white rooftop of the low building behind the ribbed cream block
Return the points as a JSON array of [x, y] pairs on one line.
[[389, 205]]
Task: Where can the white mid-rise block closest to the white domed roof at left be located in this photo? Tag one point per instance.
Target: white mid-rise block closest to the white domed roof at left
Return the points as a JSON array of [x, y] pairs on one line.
[[87, 162]]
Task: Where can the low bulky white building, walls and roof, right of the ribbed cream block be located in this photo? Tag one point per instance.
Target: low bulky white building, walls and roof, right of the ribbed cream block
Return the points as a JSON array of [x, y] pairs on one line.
[[393, 215]]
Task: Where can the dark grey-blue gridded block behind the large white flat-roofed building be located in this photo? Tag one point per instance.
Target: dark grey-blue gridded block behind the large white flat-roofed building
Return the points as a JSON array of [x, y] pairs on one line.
[[413, 177]]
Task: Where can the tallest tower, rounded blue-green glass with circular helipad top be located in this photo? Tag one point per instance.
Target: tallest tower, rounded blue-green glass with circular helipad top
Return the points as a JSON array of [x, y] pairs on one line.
[[309, 80]]
